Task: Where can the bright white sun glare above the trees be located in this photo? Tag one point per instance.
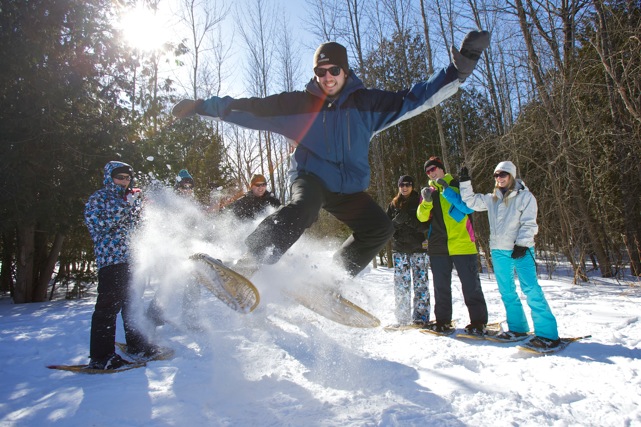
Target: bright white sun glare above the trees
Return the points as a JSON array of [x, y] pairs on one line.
[[143, 29]]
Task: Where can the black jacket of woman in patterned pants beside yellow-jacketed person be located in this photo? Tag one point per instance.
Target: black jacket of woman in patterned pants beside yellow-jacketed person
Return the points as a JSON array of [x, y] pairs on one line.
[[409, 232]]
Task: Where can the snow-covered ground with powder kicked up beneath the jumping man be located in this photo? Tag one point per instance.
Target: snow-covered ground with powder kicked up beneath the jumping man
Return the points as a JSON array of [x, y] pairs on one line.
[[283, 365]]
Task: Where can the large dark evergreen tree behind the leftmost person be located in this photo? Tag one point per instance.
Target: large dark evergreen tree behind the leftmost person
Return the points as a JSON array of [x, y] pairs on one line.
[[60, 119]]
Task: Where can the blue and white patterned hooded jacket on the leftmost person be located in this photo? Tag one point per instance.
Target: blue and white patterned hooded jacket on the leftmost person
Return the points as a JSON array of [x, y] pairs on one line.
[[111, 214]]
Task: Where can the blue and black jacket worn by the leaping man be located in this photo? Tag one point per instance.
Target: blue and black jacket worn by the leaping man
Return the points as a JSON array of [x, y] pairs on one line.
[[332, 135]]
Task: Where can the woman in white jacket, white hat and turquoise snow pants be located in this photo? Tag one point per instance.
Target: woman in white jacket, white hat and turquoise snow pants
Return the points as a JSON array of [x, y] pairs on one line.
[[512, 211]]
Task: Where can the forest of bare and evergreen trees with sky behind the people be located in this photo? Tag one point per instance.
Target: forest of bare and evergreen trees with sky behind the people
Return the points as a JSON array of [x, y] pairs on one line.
[[558, 92]]
